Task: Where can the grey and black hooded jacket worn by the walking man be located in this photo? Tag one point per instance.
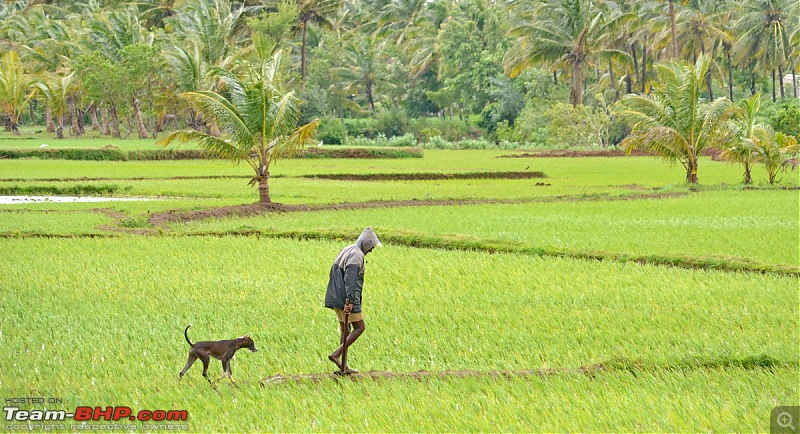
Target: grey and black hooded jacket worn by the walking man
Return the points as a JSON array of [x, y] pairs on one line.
[[347, 273]]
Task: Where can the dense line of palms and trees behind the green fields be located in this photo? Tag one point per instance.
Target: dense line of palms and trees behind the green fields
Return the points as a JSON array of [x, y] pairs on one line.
[[518, 69]]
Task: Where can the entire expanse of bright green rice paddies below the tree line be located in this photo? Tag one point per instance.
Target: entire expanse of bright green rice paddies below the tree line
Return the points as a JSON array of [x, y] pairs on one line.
[[96, 295]]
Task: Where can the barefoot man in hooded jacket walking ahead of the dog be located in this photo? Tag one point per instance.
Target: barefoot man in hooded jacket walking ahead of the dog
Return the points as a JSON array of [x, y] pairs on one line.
[[345, 283]]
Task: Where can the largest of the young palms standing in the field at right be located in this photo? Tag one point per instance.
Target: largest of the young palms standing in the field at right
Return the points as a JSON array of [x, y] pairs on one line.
[[675, 122]]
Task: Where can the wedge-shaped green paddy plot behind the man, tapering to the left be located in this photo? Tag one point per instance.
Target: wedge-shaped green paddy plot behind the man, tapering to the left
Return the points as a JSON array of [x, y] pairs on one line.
[[758, 226]]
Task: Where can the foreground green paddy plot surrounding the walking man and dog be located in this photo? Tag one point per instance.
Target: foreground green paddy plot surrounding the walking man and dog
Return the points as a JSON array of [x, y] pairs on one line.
[[113, 336]]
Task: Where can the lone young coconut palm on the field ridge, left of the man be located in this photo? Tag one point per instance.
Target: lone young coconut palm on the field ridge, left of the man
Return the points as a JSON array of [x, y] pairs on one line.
[[257, 118]]
